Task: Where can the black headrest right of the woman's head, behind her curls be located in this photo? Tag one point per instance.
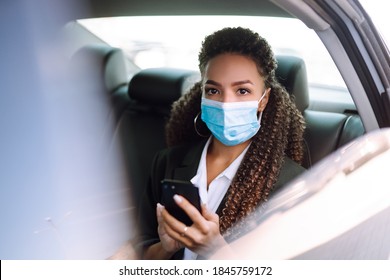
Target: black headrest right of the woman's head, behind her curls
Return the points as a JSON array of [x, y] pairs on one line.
[[291, 73]]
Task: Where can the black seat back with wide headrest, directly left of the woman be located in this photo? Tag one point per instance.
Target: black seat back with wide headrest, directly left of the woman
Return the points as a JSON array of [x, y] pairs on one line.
[[141, 126]]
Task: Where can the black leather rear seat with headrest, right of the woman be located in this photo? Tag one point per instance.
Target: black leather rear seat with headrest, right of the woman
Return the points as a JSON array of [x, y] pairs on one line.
[[325, 131]]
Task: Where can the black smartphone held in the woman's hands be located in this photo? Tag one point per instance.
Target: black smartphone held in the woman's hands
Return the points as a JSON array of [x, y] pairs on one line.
[[183, 188]]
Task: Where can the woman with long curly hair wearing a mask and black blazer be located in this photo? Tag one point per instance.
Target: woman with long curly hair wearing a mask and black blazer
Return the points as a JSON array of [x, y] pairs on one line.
[[245, 143]]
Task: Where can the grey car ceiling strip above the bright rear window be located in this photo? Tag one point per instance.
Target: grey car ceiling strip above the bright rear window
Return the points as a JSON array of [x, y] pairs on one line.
[[103, 8]]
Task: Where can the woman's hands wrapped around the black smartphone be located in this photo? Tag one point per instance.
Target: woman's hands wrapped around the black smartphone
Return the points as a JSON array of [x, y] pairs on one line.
[[203, 237]]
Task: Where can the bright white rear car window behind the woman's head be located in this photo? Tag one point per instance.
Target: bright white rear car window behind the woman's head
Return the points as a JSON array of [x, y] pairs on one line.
[[174, 41]]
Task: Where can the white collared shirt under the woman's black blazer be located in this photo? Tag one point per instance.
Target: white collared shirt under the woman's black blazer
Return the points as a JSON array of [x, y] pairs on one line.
[[217, 189]]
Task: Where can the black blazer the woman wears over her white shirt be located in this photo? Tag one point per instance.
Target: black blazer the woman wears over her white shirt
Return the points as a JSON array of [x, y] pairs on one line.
[[181, 163]]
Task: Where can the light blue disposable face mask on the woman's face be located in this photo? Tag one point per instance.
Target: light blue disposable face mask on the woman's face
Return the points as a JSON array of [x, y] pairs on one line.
[[231, 123]]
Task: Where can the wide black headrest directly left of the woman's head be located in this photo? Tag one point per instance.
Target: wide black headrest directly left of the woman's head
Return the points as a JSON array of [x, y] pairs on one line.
[[161, 86]]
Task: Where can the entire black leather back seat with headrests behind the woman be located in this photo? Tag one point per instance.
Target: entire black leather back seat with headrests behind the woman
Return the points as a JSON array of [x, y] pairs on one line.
[[141, 107]]
